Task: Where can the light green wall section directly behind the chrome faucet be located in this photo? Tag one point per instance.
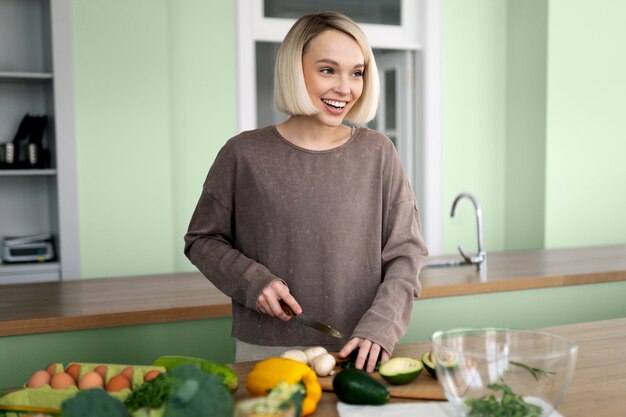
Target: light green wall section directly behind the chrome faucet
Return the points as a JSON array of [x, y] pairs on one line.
[[473, 115]]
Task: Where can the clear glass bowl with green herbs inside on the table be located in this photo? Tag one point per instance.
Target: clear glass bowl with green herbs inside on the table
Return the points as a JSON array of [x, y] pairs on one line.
[[483, 371]]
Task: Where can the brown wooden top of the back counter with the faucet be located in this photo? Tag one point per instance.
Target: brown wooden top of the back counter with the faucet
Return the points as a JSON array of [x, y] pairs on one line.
[[110, 302]]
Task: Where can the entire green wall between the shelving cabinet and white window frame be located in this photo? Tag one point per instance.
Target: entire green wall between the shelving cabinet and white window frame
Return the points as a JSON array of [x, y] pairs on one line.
[[155, 100]]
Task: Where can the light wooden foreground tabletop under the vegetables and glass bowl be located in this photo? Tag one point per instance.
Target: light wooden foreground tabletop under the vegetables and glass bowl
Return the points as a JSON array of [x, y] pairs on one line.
[[597, 388]]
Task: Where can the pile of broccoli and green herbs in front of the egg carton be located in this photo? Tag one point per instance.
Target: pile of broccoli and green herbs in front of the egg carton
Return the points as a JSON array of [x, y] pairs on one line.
[[184, 391]]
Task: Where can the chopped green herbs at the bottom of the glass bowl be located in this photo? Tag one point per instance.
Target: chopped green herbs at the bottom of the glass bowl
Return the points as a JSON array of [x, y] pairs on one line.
[[510, 405]]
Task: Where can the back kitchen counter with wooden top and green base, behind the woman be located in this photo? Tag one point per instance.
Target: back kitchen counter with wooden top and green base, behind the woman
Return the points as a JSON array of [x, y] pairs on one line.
[[136, 319]]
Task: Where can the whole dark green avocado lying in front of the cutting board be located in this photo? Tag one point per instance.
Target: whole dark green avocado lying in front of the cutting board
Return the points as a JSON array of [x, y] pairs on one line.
[[355, 386]]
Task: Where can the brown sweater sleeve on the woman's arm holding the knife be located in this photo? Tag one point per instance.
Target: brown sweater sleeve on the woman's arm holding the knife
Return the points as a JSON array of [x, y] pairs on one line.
[[210, 236]]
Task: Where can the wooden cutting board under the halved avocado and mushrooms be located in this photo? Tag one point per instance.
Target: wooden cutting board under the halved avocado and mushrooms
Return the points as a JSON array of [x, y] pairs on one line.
[[424, 387]]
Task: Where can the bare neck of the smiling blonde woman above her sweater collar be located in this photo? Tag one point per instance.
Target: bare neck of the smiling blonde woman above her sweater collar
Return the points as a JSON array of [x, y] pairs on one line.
[[307, 134]]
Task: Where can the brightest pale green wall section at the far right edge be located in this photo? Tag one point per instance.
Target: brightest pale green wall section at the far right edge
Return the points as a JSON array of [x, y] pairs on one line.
[[586, 127]]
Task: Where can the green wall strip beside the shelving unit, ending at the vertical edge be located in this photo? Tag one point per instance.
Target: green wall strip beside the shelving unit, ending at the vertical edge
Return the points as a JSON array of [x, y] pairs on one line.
[[123, 142]]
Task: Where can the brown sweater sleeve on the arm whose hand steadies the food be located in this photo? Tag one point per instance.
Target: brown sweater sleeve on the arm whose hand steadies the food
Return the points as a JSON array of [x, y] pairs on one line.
[[403, 254]]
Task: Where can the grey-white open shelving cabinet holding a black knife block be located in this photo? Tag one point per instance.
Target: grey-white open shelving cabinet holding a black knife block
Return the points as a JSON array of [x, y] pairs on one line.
[[36, 79]]
